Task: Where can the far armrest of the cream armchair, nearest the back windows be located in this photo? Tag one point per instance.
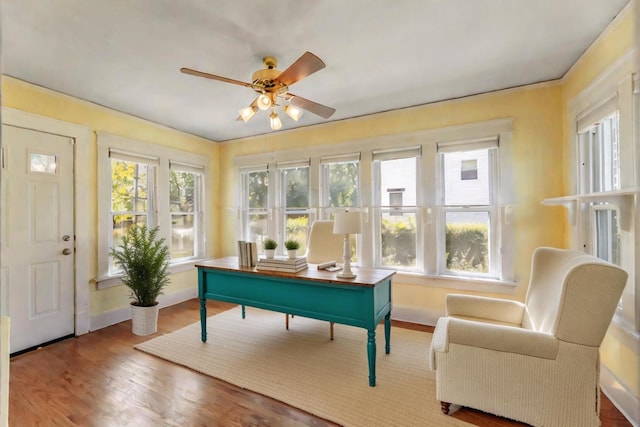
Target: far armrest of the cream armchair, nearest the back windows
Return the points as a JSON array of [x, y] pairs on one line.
[[491, 309]]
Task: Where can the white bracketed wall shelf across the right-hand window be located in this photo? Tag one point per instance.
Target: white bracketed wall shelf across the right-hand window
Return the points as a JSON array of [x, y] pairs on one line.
[[622, 199]]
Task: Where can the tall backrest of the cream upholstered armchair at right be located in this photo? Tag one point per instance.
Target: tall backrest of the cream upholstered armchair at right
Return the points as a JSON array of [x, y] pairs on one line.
[[572, 295]]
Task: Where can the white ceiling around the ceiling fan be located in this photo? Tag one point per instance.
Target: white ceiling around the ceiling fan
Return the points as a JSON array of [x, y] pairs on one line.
[[380, 55]]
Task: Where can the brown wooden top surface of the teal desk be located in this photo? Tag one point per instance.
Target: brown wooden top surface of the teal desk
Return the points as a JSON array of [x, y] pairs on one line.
[[365, 276]]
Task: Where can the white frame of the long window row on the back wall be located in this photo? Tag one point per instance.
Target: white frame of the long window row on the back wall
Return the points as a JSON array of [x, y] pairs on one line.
[[427, 207]]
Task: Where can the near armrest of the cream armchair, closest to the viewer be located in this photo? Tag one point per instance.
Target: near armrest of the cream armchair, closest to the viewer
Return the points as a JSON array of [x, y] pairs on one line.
[[493, 337]]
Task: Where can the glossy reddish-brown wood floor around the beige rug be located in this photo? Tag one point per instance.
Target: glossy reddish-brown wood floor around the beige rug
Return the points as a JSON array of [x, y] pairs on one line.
[[98, 379]]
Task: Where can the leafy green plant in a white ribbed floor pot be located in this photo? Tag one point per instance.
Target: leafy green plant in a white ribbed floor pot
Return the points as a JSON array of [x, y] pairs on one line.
[[144, 260]]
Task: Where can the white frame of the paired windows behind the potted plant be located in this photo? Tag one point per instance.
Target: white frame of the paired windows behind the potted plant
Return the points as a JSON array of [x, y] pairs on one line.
[[160, 215]]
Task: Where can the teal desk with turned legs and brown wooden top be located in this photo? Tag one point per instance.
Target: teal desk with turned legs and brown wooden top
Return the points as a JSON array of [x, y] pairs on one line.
[[319, 294]]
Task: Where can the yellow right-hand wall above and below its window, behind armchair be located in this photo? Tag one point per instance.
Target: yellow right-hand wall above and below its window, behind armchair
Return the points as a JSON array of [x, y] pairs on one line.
[[621, 356]]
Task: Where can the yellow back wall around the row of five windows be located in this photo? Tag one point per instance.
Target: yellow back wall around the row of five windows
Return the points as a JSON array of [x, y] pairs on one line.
[[537, 134]]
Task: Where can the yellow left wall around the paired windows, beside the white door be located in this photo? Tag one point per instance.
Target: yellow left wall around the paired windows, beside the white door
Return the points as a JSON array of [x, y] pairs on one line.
[[33, 99]]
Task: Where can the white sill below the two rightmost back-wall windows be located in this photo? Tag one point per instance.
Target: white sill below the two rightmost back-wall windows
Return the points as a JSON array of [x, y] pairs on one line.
[[456, 282]]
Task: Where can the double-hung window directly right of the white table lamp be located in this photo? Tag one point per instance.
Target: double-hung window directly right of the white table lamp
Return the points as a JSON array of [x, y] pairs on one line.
[[396, 174]]
